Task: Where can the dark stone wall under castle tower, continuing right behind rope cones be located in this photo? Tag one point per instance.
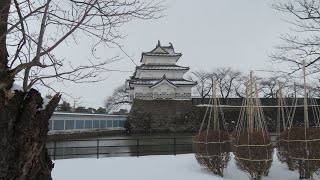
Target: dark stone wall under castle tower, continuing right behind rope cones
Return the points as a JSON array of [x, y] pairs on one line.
[[183, 115]]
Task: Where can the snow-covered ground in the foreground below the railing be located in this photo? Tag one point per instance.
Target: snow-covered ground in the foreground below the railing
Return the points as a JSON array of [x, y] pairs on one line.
[[167, 167]]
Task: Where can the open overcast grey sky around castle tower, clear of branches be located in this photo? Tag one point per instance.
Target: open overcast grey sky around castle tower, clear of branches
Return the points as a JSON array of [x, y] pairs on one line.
[[209, 34]]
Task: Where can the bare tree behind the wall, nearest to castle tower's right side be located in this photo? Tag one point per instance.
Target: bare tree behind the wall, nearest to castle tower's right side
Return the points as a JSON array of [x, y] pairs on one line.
[[204, 83]]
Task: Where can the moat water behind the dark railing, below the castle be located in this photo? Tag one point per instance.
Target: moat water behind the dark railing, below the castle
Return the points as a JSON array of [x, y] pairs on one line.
[[114, 146]]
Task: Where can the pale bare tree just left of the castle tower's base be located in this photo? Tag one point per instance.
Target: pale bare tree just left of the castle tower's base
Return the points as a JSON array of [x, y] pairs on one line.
[[118, 98]]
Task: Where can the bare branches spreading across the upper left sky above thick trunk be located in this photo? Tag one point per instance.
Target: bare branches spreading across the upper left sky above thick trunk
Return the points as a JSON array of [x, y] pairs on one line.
[[34, 29]]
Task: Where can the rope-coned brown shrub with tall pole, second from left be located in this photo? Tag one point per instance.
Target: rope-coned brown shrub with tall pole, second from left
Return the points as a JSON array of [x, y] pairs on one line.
[[252, 144]]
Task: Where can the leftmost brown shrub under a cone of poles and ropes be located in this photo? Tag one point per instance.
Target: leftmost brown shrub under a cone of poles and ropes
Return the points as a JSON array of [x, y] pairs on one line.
[[212, 145]]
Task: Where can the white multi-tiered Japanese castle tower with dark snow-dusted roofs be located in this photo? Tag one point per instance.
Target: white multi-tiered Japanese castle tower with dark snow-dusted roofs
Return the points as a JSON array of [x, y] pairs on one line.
[[158, 76]]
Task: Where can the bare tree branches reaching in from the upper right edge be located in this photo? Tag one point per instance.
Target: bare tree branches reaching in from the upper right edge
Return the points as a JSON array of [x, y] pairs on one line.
[[303, 42]]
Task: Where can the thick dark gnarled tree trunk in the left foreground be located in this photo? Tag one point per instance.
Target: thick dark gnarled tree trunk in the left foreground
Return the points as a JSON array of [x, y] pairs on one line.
[[23, 132]]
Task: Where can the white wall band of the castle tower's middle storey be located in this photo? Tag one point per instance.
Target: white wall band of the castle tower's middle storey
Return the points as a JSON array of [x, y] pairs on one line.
[[145, 74]]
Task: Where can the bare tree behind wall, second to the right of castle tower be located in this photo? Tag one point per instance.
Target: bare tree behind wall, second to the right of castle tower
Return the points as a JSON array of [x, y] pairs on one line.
[[225, 77]]
